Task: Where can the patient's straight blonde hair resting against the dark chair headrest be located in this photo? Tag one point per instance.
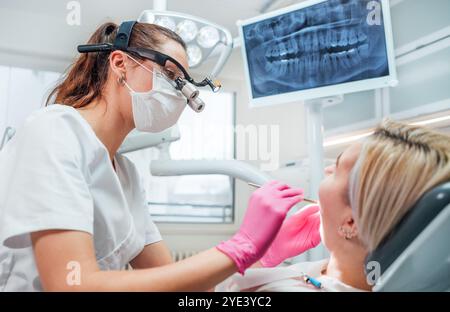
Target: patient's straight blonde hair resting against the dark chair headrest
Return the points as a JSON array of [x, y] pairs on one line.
[[397, 165]]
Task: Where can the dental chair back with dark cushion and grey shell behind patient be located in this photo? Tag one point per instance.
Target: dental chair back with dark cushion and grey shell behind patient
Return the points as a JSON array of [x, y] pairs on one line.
[[415, 256]]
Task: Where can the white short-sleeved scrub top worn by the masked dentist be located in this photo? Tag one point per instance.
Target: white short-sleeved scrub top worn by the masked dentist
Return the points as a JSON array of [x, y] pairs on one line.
[[56, 174]]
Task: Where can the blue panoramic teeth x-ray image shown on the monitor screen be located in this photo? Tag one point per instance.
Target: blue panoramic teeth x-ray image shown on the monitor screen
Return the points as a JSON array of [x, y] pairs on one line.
[[325, 44]]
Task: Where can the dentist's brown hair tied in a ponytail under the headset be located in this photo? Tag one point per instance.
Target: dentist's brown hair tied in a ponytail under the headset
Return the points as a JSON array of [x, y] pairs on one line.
[[85, 79]]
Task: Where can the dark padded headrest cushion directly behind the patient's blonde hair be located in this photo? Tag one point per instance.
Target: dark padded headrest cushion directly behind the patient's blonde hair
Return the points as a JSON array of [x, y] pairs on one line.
[[411, 225]]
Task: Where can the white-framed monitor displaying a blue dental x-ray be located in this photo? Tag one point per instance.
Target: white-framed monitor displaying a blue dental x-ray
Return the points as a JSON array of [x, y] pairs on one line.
[[317, 49]]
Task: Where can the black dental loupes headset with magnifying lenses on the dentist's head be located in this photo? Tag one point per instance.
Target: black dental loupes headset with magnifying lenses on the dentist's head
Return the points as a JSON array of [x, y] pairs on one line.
[[187, 85]]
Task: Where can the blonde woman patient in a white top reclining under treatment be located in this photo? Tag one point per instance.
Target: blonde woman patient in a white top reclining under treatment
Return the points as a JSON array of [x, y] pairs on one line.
[[364, 195]]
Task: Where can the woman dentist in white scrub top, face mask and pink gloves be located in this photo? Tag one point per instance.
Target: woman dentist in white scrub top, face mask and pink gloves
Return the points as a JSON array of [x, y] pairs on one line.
[[73, 213]]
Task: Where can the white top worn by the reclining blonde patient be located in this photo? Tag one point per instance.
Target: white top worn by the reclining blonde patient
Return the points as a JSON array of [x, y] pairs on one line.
[[284, 279]]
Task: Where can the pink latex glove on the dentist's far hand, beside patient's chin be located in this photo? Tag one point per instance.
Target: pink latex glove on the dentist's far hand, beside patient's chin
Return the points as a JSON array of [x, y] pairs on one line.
[[298, 233]]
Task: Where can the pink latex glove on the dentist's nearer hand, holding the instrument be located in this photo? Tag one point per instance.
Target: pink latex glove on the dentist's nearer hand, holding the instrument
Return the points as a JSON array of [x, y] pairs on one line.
[[266, 211]]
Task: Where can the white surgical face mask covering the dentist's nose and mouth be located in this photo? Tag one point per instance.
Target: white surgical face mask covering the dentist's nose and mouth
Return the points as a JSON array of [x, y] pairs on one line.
[[159, 108]]
